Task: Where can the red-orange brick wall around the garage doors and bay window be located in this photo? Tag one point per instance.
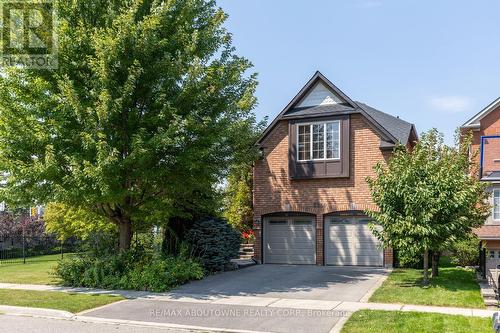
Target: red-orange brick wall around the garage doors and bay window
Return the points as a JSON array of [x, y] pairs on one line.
[[275, 192]]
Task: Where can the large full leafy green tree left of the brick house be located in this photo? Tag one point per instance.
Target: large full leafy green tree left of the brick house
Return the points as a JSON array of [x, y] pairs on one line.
[[141, 115]]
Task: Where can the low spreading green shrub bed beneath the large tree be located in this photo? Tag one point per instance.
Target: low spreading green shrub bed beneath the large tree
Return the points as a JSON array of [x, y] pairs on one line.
[[128, 270]]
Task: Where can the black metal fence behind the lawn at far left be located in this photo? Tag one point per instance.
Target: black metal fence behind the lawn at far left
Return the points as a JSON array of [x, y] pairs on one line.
[[23, 249]]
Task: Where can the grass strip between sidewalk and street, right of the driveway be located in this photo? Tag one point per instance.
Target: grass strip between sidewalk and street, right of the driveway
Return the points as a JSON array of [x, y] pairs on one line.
[[368, 321]]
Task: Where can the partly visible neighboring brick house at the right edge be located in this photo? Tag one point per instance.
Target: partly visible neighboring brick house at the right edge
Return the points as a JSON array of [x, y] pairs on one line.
[[485, 127]]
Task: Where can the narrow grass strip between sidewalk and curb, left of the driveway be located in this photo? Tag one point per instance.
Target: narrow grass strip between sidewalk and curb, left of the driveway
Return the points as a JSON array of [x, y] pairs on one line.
[[54, 300]]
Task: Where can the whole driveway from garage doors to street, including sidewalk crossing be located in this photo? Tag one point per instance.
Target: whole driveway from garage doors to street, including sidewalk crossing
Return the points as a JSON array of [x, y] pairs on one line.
[[263, 298]]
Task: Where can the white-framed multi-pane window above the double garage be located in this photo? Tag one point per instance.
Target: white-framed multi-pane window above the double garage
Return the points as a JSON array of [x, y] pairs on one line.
[[318, 141]]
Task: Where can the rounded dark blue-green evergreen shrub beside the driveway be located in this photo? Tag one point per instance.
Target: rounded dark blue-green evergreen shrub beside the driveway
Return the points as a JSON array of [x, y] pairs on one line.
[[215, 242]]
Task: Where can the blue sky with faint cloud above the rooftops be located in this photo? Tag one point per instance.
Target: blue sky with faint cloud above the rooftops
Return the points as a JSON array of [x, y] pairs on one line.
[[433, 63]]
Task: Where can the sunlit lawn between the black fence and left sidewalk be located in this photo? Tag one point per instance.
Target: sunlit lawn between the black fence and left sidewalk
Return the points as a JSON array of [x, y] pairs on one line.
[[37, 270]]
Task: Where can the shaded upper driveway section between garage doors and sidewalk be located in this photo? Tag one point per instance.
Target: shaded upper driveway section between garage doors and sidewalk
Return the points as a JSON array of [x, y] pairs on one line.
[[330, 283]]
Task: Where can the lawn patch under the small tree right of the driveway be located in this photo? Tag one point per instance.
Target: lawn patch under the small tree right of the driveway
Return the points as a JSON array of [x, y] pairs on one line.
[[454, 287]]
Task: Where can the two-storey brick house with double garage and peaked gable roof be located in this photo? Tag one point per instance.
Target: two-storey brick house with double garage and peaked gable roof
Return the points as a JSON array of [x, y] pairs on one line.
[[310, 188]]
